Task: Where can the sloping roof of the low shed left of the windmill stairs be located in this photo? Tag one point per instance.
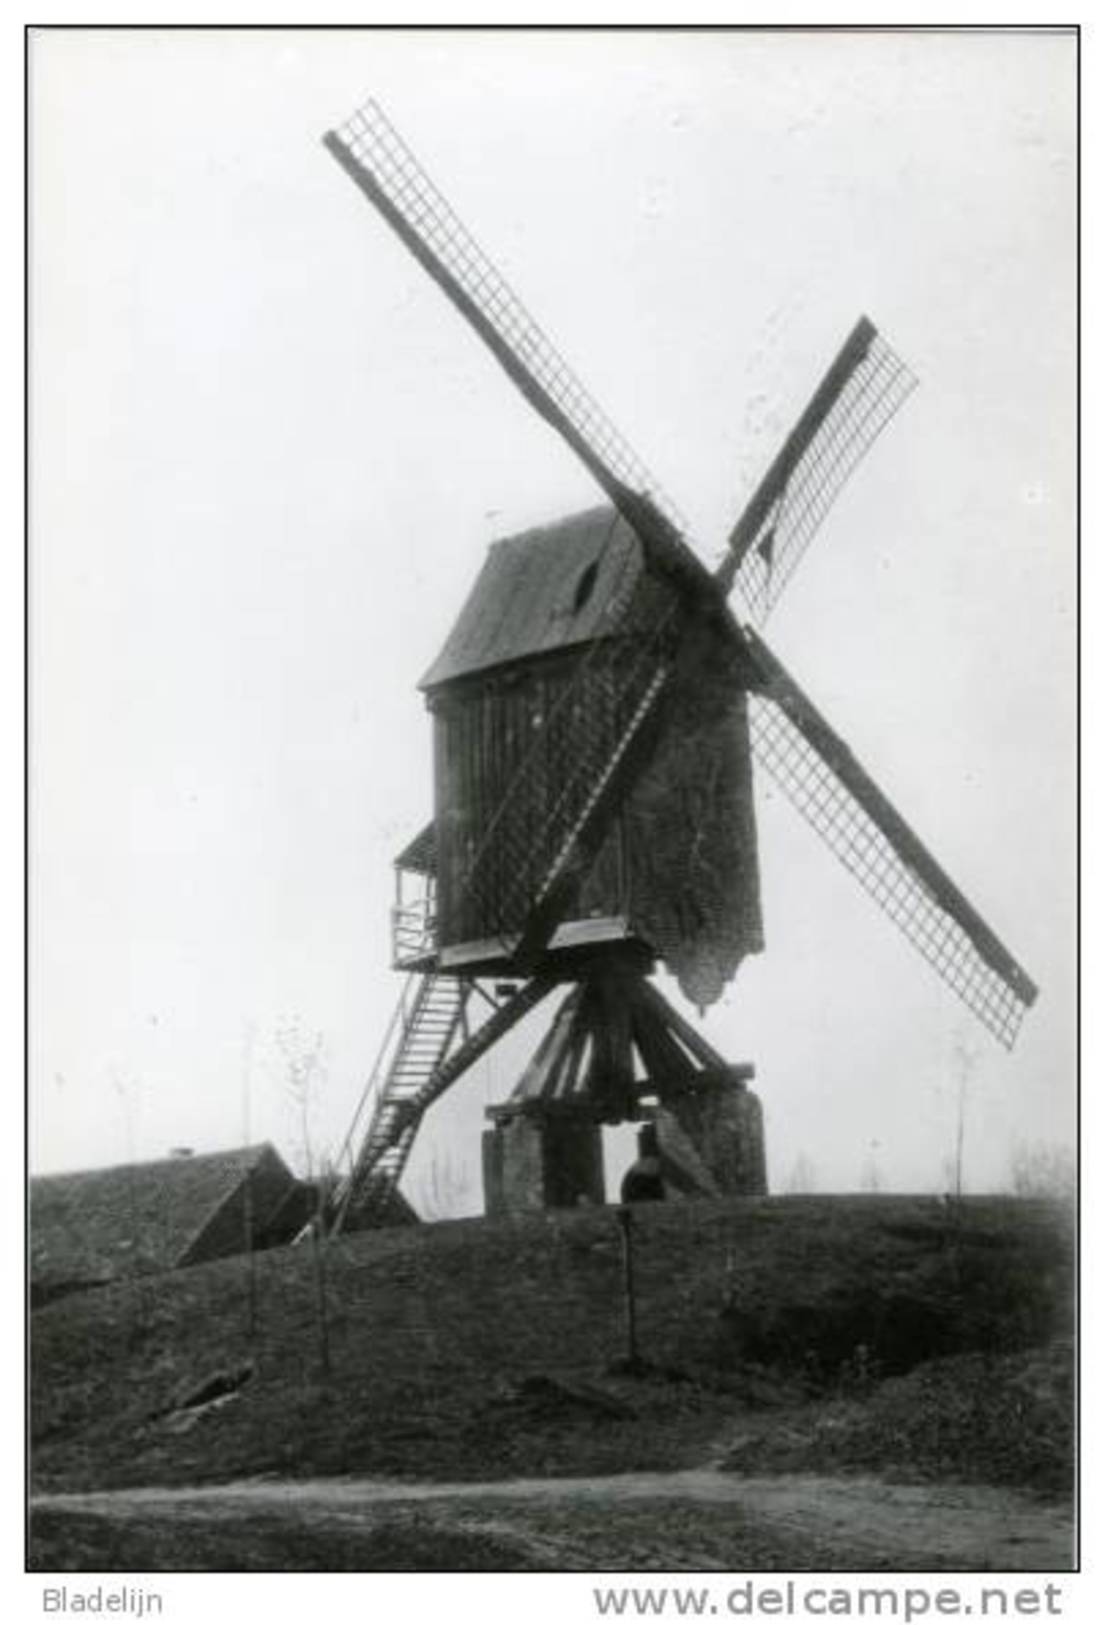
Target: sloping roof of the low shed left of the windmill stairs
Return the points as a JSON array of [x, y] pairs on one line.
[[131, 1220]]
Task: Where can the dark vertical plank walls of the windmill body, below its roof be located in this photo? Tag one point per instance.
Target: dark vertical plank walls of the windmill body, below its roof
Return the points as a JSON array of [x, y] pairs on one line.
[[680, 864]]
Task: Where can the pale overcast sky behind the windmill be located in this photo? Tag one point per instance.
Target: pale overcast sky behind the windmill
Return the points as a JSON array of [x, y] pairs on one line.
[[267, 461]]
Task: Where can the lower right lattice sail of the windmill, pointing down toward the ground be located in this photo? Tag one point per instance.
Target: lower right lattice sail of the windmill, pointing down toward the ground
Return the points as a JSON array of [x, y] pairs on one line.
[[823, 779]]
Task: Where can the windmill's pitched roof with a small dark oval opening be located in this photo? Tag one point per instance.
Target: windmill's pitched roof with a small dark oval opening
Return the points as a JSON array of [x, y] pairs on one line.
[[548, 589]]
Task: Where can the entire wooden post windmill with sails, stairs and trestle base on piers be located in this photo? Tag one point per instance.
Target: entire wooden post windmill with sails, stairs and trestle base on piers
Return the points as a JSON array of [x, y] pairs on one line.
[[597, 709]]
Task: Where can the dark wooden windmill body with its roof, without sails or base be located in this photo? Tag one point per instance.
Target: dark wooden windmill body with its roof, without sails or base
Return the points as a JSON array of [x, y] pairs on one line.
[[532, 659]]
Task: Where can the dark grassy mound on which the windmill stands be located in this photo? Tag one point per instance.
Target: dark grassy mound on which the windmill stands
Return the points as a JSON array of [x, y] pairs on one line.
[[485, 1350]]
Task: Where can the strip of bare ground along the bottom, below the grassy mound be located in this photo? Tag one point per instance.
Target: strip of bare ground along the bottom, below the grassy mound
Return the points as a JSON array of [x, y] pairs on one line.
[[695, 1520]]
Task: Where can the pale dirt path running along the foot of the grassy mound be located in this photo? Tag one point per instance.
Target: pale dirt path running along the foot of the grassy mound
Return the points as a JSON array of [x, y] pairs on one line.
[[654, 1519]]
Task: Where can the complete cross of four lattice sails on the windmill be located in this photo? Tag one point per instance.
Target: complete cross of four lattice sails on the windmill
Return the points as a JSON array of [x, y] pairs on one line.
[[579, 771]]
